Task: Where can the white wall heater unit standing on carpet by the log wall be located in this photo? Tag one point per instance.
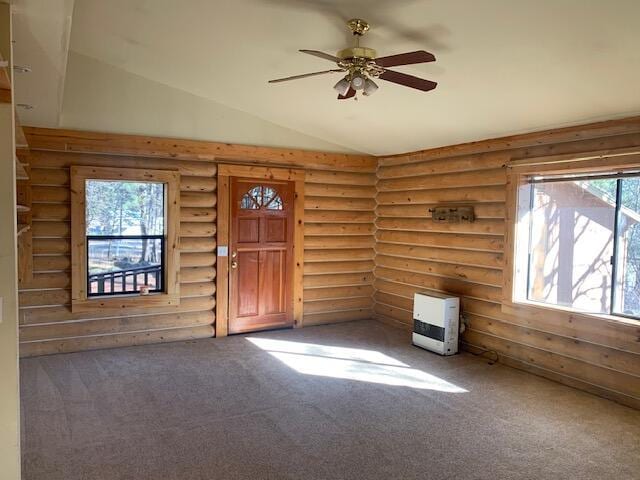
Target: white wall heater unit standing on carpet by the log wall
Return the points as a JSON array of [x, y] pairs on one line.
[[436, 322]]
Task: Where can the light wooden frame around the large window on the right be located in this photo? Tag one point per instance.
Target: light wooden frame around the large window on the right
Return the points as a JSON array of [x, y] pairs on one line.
[[515, 294]]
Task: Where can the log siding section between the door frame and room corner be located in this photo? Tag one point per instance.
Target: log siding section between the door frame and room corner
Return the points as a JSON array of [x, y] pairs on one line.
[[339, 246]]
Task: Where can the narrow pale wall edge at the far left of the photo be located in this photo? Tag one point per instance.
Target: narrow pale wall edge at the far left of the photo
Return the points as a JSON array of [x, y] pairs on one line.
[[9, 393]]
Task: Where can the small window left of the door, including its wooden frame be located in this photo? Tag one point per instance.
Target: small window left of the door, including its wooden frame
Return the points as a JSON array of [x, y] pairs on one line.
[[124, 229]]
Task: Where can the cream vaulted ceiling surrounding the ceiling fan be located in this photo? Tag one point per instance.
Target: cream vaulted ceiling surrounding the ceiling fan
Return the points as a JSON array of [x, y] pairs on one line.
[[503, 67]]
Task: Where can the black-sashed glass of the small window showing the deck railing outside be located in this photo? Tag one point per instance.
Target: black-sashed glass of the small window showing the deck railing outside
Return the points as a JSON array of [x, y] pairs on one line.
[[125, 228]]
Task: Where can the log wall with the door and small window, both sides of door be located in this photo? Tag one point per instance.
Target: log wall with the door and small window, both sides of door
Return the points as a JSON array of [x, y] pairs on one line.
[[338, 245]]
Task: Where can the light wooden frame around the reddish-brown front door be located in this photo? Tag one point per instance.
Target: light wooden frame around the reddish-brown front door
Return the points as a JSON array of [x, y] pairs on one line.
[[223, 236]]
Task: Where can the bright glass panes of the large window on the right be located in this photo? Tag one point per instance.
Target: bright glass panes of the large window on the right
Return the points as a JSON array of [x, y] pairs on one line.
[[582, 247]]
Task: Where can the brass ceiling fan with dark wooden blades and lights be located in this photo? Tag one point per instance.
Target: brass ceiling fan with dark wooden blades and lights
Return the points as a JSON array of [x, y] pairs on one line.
[[361, 65]]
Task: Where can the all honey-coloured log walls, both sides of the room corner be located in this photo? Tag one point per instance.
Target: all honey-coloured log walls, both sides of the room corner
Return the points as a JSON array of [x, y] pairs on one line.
[[369, 245]]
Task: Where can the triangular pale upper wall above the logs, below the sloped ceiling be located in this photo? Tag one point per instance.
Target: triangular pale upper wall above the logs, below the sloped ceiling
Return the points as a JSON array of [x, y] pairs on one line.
[[102, 98]]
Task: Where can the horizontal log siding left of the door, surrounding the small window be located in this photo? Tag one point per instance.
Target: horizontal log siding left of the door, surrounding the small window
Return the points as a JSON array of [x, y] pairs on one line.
[[47, 324]]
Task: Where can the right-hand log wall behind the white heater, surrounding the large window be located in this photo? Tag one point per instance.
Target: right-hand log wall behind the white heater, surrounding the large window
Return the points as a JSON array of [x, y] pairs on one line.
[[415, 254]]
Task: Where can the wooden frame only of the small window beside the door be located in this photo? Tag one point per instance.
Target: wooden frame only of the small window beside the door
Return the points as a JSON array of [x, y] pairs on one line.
[[170, 296]]
